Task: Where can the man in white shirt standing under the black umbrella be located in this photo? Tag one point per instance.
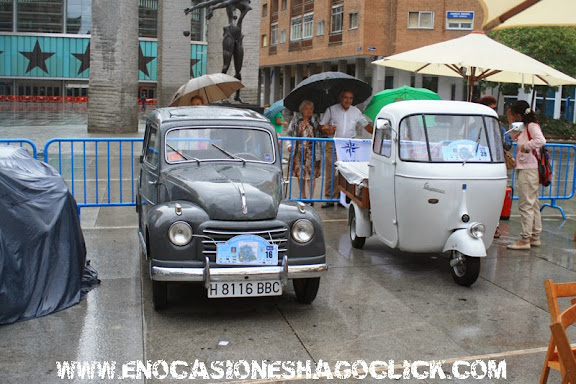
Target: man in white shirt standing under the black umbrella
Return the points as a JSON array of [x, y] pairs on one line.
[[339, 120]]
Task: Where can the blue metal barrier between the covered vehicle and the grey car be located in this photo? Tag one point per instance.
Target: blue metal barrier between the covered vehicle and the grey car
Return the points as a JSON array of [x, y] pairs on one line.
[[87, 161]]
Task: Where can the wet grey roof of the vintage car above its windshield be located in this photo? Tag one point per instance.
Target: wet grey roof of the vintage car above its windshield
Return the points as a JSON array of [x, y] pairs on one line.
[[209, 112]]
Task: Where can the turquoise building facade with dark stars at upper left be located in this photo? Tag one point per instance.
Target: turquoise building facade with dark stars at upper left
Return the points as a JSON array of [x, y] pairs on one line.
[[45, 48]]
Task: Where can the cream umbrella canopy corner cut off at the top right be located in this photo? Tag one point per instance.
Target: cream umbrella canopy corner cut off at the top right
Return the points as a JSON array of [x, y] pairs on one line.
[[528, 13]]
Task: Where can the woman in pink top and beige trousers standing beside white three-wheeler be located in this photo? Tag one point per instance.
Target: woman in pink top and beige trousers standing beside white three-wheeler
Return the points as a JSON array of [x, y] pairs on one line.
[[529, 138]]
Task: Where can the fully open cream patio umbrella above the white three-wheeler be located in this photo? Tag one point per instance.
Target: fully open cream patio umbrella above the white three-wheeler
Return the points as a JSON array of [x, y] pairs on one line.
[[476, 57]]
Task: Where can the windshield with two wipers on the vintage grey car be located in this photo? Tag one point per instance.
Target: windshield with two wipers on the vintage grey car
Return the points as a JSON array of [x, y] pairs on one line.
[[219, 144]]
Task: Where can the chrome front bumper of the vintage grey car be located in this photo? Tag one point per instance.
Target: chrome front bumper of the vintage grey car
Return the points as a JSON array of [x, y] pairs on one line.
[[245, 273]]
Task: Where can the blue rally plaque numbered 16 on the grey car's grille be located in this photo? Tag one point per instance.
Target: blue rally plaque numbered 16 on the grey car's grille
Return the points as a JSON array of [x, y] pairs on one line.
[[247, 250]]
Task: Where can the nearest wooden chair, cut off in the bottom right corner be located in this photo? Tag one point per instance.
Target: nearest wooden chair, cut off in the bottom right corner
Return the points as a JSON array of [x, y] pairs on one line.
[[565, 351]]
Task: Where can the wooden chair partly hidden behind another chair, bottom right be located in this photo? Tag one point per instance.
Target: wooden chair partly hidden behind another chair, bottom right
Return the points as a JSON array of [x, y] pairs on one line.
[[553, 292]]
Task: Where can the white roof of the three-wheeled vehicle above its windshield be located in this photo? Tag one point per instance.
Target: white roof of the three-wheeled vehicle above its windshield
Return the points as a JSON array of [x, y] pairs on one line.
[[410, 107]]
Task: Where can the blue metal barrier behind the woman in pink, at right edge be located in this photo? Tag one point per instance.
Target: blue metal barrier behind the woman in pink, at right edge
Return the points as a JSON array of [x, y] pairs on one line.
[[562, 158]]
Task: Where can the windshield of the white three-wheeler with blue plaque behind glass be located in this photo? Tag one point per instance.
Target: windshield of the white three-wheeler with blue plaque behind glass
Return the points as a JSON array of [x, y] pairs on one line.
[[451, 138]]
